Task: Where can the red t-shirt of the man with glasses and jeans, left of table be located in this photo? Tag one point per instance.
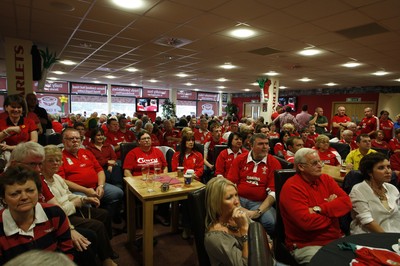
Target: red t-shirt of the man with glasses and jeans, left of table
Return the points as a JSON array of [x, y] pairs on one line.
[[82, 169]]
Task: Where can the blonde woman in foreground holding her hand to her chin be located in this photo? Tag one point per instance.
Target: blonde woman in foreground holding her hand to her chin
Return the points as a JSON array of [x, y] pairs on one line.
[[227, 224]]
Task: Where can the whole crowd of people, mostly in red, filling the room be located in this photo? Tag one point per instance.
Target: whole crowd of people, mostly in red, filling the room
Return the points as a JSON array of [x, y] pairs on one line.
[[77, 185]]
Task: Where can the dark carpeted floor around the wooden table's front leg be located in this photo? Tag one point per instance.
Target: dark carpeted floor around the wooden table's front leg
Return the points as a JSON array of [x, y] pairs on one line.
[[171, 249]]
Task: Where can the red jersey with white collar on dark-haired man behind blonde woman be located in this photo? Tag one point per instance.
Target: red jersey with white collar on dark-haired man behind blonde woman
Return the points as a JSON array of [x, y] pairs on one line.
[[253, 179]]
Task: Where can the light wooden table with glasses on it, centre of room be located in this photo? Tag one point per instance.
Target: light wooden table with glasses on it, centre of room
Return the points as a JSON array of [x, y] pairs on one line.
[[136, 188]]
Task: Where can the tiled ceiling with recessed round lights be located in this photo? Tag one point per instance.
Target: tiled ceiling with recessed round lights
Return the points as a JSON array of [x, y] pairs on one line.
[[104, 40]]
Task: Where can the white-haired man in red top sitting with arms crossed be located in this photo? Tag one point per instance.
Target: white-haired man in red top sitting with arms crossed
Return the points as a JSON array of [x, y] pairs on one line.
[[310, 204]]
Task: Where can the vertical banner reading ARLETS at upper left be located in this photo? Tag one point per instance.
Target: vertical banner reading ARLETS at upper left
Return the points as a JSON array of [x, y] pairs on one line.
[[18, 65]]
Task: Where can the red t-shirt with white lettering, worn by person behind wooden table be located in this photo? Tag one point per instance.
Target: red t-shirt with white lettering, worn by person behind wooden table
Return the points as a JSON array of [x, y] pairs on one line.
[[136, 158]]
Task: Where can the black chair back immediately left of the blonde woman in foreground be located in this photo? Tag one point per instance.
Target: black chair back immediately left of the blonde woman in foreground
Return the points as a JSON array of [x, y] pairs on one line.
[[197, 210]]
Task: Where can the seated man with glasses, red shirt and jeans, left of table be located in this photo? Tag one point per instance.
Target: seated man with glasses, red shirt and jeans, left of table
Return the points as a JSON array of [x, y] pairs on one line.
[[83, 174]]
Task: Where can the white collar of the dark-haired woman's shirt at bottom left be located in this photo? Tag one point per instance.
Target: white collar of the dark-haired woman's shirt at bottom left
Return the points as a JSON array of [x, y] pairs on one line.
[[11, 228]]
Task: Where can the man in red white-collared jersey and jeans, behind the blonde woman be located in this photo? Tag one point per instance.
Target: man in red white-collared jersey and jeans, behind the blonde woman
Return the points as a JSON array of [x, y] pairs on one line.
[[253, 173]]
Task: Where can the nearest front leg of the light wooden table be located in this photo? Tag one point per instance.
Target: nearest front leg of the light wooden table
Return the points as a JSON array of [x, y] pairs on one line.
[[148, 209]]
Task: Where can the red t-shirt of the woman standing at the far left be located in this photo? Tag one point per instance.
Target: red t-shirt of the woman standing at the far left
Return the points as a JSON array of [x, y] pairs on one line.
[[26, 125]]
